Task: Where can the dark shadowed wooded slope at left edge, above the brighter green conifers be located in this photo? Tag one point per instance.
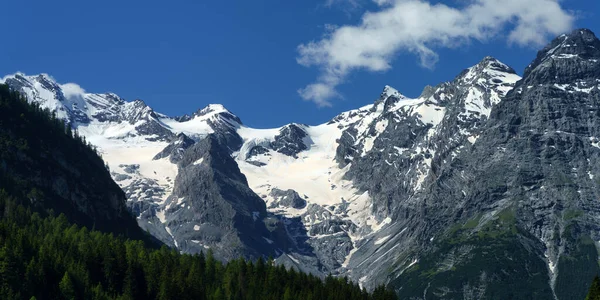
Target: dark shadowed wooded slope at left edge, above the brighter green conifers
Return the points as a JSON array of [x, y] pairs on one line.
[[47, 166]]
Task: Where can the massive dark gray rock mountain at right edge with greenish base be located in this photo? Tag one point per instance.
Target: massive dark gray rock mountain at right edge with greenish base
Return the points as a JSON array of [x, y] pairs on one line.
[[525, 192]]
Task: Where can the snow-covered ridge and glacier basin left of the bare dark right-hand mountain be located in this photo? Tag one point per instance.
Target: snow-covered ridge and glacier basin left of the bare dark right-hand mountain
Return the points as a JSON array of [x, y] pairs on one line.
[[310, 178]]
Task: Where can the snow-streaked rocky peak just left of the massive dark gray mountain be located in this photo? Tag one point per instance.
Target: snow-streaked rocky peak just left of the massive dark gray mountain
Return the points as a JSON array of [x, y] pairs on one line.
[[401, 142]]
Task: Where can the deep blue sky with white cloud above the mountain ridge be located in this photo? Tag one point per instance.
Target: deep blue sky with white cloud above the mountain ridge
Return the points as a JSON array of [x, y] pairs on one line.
[[179, 56]]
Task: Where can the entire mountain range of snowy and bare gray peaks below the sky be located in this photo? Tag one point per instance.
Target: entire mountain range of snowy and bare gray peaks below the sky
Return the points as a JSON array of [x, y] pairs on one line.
[[481, 183]]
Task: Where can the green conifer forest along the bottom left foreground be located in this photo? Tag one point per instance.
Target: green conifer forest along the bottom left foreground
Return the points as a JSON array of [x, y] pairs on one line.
[[47, 258]]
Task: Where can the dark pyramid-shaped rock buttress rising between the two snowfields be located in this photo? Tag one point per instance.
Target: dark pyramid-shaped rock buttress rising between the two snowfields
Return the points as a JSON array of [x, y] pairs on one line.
[[213, 207]]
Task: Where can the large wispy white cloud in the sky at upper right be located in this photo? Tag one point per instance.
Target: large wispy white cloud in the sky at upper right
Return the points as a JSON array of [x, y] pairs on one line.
[[418, 27]]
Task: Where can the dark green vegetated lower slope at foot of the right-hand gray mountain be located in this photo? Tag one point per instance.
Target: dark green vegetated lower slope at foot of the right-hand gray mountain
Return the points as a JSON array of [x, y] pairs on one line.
[[471, 256]]
